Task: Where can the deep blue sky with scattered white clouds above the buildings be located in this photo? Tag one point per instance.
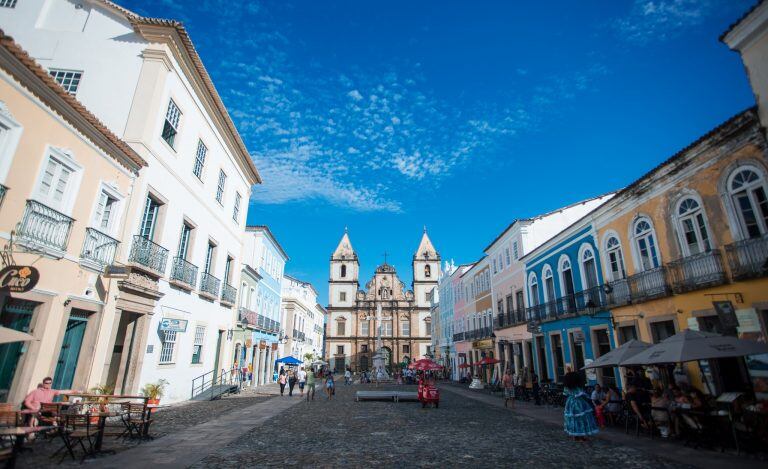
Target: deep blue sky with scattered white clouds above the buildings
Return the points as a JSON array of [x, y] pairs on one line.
[[385, 116]]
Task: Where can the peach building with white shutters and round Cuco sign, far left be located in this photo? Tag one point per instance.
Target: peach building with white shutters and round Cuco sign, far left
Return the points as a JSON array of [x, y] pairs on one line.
[[65, 181]]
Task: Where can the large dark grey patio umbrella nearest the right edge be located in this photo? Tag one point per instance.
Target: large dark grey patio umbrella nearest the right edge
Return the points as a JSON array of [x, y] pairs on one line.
[[690, 345]]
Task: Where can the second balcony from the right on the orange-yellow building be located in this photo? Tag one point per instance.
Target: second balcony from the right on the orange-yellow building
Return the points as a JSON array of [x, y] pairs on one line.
[[696, 272]]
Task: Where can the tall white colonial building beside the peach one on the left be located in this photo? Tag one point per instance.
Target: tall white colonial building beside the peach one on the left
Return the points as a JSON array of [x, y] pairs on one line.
[[186, 216]]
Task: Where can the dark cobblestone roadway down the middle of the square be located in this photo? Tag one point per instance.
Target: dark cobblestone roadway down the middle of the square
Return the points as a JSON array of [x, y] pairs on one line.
[[461, 432]]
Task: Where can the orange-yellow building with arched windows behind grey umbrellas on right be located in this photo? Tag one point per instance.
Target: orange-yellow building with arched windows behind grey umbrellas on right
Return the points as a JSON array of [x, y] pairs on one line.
[[687, 244]]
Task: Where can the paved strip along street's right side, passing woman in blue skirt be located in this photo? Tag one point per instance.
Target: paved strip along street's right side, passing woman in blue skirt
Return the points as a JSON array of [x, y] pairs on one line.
[[669, 449]]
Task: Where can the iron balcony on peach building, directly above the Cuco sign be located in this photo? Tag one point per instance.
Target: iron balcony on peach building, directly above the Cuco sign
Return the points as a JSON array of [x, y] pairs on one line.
[[44, 227]]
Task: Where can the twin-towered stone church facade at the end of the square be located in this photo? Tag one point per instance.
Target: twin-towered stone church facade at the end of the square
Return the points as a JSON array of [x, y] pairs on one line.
[[352, 325]]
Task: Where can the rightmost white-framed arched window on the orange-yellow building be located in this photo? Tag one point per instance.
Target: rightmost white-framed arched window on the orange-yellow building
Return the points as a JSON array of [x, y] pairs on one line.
[[748, 190]]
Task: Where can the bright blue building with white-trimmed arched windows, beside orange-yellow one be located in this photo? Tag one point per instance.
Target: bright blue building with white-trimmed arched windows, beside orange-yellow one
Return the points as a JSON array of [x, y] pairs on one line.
[[567, 315]]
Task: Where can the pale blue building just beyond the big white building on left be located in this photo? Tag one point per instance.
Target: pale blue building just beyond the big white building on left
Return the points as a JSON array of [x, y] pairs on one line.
[[259, 333]]
